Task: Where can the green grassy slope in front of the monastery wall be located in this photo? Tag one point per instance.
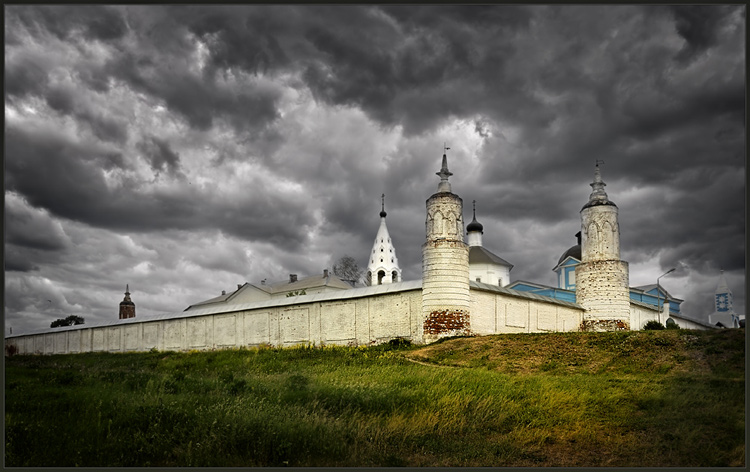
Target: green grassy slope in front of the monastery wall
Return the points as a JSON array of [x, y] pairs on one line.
[[656, 398]]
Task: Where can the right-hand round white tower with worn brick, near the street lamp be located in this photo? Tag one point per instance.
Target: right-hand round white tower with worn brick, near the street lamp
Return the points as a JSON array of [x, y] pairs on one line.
[[601, 277]]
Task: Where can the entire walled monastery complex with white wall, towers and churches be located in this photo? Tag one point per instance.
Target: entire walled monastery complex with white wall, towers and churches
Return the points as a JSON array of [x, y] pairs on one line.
[[464, 290]]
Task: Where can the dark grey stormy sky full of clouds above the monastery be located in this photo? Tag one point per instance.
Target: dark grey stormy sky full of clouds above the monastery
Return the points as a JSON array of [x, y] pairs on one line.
[[186, 149]]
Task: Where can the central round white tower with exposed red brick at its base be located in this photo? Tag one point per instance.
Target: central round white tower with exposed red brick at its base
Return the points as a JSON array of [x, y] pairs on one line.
[[445, 264]]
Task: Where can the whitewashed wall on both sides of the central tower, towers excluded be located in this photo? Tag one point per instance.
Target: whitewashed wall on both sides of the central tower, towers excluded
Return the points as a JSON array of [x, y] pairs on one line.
[[350, 320]]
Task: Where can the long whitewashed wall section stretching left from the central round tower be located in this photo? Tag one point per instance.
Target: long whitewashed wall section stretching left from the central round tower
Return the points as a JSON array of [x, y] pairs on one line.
[[353, 320]]
